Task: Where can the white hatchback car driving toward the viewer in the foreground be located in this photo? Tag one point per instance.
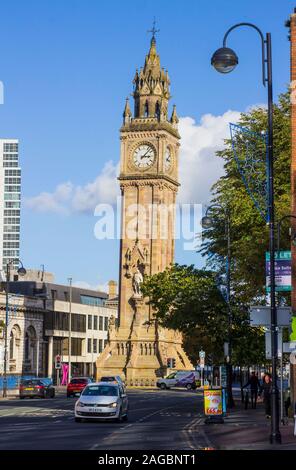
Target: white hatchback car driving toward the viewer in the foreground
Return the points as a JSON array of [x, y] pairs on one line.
[[102, 400]]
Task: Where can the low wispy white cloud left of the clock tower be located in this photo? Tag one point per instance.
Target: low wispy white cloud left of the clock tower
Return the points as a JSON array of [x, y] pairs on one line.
[[68, 198]]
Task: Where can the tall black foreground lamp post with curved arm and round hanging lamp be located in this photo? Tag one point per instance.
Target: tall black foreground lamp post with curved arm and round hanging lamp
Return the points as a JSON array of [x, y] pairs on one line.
[[225, 60]]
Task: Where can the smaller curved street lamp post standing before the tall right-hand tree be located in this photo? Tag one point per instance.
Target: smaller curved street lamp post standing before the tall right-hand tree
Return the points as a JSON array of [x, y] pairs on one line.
[[207, 222]]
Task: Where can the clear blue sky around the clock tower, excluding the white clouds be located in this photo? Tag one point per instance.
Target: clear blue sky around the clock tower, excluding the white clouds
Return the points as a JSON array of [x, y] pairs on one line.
[[67, 66]]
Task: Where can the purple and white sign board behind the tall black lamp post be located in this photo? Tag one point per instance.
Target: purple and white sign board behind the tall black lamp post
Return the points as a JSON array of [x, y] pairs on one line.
[[282, 268]]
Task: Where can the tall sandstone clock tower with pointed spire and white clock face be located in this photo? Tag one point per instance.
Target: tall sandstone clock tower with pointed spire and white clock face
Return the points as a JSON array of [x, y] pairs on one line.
[[138, 348]]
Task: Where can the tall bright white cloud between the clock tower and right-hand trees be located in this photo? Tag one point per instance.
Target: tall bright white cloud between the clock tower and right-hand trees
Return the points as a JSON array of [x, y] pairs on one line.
[[199, 167]]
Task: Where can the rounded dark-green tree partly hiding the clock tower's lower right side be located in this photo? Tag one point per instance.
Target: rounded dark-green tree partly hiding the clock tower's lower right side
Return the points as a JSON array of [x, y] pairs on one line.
[[188, 299]]
